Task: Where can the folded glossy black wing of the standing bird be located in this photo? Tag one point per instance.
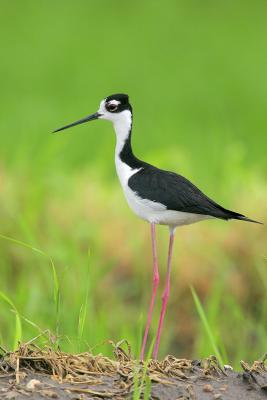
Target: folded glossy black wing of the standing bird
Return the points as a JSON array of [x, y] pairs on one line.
[[176, 193]]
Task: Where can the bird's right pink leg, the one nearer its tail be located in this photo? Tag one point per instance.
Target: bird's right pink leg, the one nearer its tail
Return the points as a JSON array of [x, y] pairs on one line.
[[165, 296]]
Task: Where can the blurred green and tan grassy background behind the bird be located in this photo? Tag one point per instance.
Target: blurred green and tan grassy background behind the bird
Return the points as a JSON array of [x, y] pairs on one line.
[[196, 76]]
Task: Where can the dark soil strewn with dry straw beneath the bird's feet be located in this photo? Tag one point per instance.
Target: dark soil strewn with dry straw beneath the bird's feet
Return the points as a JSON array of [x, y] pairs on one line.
[[34, 373]]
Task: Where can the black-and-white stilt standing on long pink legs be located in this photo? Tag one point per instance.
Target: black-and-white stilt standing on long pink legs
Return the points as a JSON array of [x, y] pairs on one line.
[[157, 196]]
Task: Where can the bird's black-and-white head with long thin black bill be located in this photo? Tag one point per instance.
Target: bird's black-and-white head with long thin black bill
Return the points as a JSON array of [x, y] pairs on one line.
[[115, 108]]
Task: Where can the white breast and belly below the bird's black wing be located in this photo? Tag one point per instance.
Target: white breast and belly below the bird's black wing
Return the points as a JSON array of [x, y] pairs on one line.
[[148, 210]]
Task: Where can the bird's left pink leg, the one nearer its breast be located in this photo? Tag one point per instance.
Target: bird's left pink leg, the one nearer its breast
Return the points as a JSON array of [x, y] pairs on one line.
[[155, 286]]
